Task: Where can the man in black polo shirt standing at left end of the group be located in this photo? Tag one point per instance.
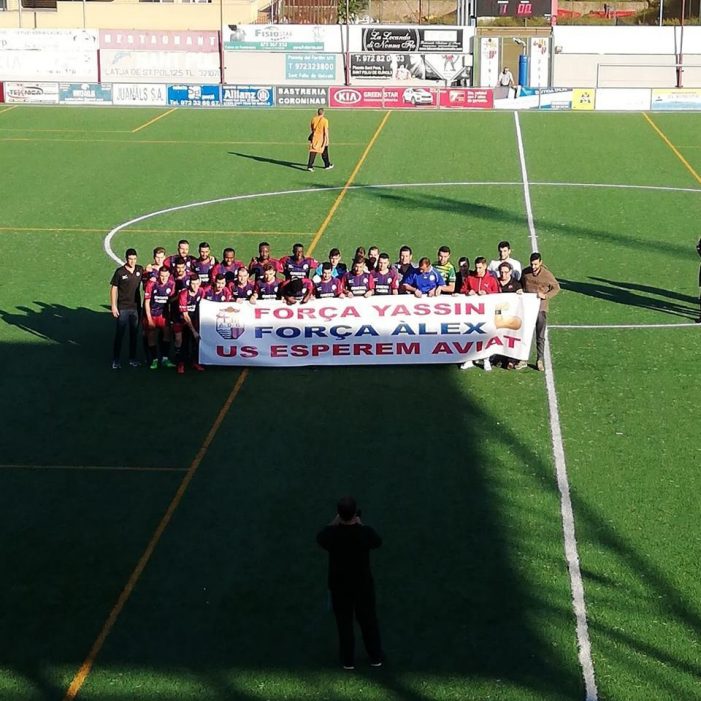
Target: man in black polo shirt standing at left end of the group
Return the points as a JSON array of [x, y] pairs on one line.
[[125, 301]]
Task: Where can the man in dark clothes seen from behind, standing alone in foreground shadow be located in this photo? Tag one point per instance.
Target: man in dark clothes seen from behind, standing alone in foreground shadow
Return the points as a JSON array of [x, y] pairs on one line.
[[348, 543]]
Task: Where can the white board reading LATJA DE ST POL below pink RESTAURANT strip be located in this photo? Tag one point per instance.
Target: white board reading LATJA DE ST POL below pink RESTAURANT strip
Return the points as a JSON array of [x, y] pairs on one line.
[[159, 66]]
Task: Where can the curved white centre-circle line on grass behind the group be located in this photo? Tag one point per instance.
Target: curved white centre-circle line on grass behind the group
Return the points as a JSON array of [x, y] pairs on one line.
[[107, 244]]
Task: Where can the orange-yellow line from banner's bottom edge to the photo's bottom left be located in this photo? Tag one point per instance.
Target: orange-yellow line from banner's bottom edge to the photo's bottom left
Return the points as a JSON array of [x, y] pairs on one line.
[[82, 674]]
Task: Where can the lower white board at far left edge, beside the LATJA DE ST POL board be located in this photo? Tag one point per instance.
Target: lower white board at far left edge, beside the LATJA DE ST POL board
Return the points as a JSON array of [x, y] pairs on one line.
[[49, 65]]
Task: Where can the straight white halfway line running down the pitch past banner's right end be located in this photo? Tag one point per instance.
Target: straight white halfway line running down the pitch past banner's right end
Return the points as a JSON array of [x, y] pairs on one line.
[[571, 554]]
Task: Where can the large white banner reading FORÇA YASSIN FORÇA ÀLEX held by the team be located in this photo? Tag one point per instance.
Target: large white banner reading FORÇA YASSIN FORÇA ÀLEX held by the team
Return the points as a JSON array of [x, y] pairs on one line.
[[391, 330]]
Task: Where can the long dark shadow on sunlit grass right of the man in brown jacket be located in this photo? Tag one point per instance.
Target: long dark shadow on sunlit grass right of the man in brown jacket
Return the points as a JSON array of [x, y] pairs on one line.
[[633, 295]]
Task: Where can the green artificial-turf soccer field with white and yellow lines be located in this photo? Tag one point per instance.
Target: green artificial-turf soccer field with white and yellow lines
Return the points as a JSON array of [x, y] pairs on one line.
[[159, 530]]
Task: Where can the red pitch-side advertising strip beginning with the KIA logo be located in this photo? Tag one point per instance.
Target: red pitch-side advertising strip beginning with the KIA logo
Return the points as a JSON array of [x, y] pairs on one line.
[[411, 96]]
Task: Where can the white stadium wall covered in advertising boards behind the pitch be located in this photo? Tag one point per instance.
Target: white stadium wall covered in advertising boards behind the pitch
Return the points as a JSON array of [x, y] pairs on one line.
[[305, 65]]
